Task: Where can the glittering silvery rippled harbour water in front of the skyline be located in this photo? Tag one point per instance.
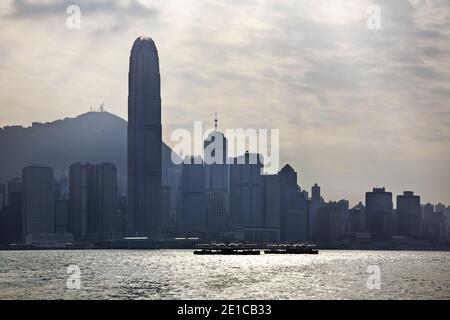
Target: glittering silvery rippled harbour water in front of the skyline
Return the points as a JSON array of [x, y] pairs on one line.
[[178, 274]]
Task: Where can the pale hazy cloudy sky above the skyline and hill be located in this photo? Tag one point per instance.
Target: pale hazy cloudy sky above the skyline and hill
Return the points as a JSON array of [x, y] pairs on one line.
[[356, 108]]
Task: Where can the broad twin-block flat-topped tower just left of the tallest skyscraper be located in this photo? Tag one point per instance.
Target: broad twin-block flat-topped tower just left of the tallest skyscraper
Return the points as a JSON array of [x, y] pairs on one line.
[[93, 201]]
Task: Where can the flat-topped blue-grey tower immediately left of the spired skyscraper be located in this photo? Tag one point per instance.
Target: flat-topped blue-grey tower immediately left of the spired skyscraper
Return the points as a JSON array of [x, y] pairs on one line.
[[192, 220]]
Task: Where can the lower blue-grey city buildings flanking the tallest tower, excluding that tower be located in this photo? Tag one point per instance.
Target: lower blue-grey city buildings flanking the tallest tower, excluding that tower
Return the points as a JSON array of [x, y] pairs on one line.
[[216, 202]]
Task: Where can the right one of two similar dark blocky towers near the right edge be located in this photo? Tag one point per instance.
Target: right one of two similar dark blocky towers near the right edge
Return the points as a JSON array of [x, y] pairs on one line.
[[408, 215]]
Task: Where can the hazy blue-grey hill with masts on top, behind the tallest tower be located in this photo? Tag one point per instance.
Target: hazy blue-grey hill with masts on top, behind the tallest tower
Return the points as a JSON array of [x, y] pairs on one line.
[[93, 137]]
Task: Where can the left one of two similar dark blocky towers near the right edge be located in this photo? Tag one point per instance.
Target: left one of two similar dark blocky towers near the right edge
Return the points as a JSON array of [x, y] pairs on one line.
[[379, 210]]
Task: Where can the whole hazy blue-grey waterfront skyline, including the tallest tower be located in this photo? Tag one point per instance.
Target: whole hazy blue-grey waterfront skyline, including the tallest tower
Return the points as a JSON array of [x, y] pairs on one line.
[[222, 201]]
